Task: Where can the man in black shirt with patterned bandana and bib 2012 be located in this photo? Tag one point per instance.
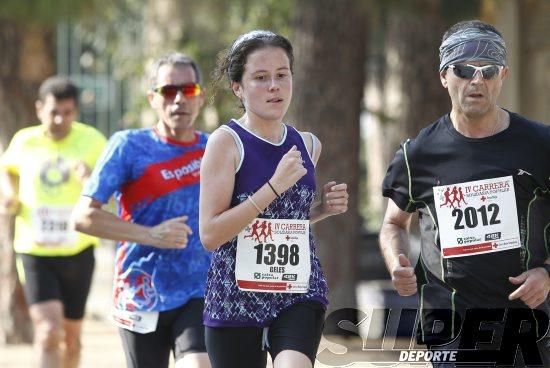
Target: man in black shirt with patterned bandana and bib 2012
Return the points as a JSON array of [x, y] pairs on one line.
[[484, 254]]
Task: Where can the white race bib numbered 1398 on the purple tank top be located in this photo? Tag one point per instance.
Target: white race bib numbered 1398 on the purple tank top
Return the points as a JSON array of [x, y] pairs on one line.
[[273, 256]]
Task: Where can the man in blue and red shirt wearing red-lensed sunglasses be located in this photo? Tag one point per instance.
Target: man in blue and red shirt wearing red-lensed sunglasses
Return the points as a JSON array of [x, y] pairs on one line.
[[161, 265]]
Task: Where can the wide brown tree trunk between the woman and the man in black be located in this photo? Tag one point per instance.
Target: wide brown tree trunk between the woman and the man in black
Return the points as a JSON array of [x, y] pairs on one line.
[[330, 49]]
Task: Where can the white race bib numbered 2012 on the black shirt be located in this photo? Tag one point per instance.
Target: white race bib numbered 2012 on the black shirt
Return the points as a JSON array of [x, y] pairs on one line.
[[477, 217]]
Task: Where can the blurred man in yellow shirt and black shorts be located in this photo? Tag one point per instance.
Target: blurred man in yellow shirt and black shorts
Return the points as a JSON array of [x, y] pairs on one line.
[[41, 177]]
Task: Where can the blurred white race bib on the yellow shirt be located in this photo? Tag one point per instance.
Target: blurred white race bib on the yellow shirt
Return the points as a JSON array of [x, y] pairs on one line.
[[51, 226]]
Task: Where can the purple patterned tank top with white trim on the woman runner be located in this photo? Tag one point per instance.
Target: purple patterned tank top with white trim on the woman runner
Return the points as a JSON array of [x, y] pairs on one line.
[[225, 304]]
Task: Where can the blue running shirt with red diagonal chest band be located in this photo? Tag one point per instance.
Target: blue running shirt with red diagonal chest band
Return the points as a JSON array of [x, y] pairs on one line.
[[153, 179]]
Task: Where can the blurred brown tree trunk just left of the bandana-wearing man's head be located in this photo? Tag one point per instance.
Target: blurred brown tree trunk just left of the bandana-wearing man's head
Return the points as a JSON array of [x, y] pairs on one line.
[[415, 39]]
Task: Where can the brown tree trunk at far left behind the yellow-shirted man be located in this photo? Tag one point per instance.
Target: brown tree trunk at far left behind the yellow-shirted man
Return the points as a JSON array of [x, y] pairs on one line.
[[22, 69]]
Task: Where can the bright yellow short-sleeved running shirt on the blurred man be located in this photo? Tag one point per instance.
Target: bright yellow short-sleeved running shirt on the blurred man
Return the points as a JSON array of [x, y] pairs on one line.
[[49, 187]]
